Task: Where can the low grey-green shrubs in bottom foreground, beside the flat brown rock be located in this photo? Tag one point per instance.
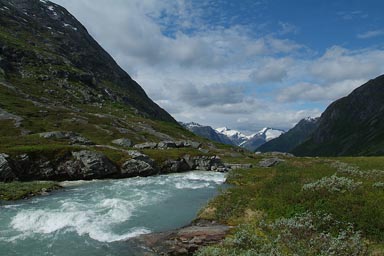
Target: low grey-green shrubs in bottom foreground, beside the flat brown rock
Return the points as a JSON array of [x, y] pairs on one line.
[[304, 234]]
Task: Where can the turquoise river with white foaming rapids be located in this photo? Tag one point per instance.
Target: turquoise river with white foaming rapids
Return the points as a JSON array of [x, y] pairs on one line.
[[94, 217]]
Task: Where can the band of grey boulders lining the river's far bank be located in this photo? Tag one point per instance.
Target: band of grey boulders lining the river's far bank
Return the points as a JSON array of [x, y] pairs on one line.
[[86, 164]]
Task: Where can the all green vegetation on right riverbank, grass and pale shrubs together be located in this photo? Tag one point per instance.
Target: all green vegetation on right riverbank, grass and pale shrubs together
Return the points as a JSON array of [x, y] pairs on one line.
[[276, 210]]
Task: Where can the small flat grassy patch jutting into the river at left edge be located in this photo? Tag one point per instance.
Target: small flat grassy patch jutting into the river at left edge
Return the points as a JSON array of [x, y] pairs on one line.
[[20, 190]]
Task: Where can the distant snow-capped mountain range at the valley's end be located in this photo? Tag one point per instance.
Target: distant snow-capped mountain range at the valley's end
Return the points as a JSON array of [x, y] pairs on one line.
[[234, 137]]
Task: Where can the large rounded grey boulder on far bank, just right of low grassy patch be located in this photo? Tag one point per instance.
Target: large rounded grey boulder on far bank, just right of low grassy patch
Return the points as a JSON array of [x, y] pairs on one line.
[[92, 164]]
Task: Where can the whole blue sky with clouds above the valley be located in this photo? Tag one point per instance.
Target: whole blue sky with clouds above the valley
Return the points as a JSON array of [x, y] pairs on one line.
[[244, 64]]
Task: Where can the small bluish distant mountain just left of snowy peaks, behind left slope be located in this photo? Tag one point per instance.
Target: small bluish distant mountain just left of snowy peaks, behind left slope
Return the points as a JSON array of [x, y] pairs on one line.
[[207, 132]]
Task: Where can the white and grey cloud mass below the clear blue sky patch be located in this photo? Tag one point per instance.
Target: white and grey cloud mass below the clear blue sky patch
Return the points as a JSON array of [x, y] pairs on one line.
[[205, 73]]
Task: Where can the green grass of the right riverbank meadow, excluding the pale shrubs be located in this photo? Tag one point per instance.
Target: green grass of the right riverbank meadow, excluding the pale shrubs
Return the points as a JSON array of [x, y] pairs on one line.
[[268, 194]]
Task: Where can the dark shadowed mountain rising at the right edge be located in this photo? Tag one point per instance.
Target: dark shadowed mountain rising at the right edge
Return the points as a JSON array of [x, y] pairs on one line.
[[350, 126]]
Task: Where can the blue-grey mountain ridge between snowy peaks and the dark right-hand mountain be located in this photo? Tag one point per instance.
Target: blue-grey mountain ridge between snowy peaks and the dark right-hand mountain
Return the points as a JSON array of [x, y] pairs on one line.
[[292, 138]]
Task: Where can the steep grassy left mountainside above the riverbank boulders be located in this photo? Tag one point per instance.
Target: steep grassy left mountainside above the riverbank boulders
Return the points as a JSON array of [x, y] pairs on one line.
[[55, 77]]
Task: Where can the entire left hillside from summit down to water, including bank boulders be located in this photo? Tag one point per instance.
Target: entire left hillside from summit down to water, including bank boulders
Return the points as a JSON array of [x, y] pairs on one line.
[[68, 111]]
